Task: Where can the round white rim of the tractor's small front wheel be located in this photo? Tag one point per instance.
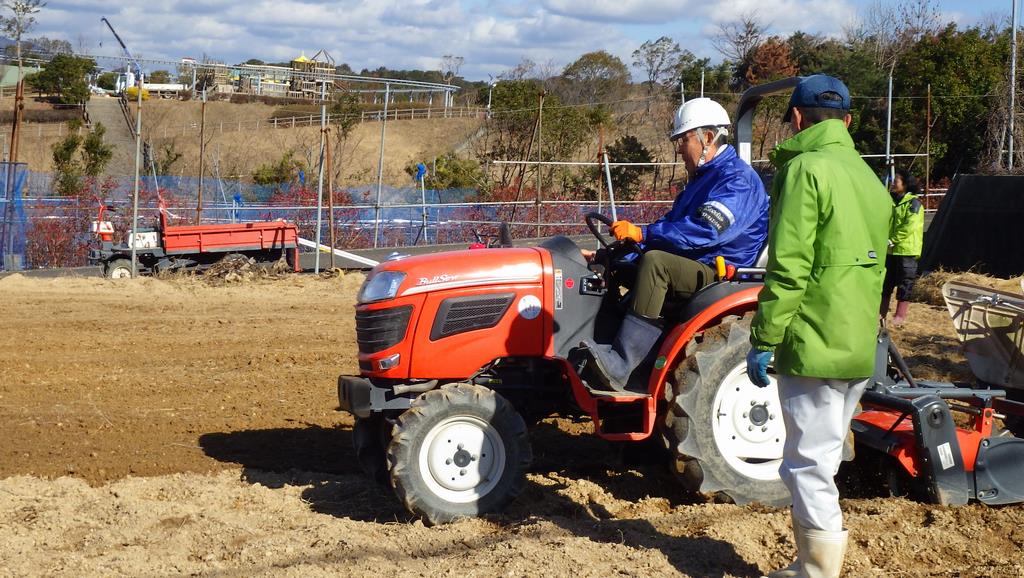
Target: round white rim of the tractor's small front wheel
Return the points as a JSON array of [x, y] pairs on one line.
[[462, 460]]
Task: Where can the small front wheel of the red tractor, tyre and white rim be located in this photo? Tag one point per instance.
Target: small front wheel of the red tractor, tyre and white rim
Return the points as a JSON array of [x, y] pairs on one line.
[[459, 451]]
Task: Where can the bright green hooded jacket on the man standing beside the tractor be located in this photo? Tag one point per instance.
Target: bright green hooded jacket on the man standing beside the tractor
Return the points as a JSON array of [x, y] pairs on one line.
[[827, 245]]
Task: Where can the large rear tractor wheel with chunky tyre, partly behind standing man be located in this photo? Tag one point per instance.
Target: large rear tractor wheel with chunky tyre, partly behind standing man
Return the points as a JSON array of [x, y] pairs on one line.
[[726, 433]]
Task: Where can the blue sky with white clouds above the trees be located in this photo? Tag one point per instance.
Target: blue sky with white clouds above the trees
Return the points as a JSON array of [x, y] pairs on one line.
[[492, 35]]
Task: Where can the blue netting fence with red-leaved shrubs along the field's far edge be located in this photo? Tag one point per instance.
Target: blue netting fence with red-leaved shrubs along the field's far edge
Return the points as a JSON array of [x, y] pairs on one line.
[[56, 231]]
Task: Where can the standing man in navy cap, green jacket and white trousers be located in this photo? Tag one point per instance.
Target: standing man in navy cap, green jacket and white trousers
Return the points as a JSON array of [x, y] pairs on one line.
[[818, 312]]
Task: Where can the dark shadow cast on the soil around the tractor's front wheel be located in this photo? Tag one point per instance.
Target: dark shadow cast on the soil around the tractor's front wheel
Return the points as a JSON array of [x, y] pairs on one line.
[[324, 461]]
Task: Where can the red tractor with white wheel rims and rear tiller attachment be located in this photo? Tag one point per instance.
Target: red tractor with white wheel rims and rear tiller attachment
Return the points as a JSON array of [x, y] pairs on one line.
[[460, 352]]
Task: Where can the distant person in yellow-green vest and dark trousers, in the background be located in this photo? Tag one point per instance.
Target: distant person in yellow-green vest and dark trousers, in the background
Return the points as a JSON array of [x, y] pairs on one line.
[[907, 232]]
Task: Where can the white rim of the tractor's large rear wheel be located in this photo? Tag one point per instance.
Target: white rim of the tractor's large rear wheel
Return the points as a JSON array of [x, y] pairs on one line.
[[748, 426]]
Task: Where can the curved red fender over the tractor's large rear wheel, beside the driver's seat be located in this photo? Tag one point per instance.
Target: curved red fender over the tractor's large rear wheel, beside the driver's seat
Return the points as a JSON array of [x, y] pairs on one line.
[[674, 347]]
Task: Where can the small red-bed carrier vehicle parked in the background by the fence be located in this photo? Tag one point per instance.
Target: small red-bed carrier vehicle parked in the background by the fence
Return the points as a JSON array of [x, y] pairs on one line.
[[169, 247]]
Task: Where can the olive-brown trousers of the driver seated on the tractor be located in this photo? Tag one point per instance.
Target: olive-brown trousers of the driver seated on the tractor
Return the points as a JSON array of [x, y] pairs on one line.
[[664, 275]]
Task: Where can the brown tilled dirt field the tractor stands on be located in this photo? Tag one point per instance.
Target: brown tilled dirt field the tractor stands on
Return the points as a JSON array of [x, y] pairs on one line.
[[170, 427]]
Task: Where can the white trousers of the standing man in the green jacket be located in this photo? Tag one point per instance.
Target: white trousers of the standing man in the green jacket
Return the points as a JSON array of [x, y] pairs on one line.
[[818, 415]]
